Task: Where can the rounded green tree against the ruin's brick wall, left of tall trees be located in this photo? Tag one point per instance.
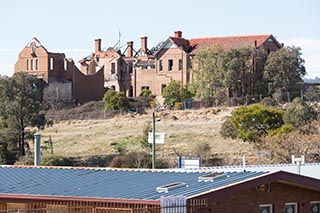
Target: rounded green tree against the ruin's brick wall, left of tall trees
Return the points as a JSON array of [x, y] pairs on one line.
[[174, 92]]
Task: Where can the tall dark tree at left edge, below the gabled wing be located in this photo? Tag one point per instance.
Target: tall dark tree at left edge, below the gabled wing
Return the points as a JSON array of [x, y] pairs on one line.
[[20, 105]]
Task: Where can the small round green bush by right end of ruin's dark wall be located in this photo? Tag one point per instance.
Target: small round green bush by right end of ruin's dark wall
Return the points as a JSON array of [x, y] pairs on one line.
[[115, 100]]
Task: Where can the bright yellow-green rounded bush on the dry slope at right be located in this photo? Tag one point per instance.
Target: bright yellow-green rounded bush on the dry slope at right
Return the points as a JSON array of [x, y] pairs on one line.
[[253, 122]]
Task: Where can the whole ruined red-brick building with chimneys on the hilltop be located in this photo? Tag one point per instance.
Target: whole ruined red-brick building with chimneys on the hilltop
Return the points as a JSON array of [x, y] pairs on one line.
[[131, 70]]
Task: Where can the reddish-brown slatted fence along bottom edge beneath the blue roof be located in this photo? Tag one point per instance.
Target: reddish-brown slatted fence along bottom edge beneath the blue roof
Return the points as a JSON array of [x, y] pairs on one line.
[[197, 206]]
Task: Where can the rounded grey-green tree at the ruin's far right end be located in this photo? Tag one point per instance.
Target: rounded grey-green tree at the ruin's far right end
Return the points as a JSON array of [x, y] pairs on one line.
[[284, 69]]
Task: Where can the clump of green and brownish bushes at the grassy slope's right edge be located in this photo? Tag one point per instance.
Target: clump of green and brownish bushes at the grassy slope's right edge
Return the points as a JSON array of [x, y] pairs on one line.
[[280, 132]]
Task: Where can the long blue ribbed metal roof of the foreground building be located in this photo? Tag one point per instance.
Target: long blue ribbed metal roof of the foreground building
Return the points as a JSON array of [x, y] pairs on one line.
[[107, 183]]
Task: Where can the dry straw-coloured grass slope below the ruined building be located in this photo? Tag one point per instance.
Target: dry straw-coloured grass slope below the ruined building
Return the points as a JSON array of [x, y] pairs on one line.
[[183, 131]]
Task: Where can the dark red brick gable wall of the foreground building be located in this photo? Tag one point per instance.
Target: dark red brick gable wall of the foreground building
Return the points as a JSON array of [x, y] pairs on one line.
[[249, 201]]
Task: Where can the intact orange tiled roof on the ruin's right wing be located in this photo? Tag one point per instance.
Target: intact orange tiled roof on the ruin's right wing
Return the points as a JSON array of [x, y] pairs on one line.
[[229, 42]]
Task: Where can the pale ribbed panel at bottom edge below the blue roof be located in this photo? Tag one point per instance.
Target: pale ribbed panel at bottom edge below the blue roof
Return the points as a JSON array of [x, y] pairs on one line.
[[173, 204]]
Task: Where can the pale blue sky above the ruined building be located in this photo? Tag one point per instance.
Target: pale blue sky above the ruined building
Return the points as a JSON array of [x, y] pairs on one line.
[[71, 26]]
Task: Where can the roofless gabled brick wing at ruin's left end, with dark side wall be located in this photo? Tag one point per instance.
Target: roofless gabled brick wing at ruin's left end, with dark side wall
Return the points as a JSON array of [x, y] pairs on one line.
[[54, 67]]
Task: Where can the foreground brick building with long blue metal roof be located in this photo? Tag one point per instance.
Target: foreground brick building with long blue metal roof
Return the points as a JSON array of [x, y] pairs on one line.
[[105, 190]]
